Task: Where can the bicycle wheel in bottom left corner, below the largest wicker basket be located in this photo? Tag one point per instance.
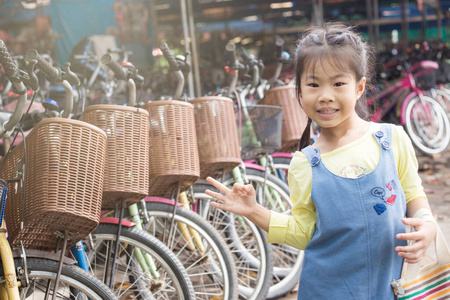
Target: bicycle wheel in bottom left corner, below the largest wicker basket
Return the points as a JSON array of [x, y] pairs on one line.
[[74, 283]]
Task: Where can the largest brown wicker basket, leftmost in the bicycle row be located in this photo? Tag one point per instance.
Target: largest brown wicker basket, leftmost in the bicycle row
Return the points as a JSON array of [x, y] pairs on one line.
[[65, 162]]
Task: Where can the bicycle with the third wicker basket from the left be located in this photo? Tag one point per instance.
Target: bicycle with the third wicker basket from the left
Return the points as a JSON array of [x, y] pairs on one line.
[[173, 170]]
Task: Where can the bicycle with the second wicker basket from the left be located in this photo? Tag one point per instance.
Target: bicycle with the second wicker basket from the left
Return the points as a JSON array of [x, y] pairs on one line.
[[141, 265]]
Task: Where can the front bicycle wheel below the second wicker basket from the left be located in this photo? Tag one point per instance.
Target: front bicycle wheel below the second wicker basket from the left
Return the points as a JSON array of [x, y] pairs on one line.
[[167, 279]]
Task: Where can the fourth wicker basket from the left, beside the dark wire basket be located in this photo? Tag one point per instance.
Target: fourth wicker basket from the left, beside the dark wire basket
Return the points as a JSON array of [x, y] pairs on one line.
[[217, 137]]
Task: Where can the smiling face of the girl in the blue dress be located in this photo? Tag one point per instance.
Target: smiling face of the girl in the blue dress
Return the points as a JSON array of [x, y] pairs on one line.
[[329, 95]]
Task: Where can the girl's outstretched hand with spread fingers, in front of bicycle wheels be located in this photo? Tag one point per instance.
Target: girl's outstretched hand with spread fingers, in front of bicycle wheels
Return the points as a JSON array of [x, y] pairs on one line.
[[241, 200]]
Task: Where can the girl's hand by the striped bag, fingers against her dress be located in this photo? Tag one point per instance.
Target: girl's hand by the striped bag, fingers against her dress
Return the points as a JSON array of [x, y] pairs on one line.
[[424, 231]]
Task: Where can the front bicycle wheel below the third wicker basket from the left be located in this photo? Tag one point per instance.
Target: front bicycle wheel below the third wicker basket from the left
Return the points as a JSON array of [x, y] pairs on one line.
[[199, 247]]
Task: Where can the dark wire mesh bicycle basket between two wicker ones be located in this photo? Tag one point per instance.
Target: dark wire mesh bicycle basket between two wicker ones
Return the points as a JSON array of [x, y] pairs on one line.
[[260, 130]]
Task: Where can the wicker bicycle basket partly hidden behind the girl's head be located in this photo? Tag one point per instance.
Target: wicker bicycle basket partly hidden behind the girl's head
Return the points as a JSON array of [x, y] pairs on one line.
[[294, 118]]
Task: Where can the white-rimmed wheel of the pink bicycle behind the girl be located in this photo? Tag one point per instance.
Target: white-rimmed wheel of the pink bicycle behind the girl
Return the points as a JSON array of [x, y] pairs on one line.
[[427, 124]]
